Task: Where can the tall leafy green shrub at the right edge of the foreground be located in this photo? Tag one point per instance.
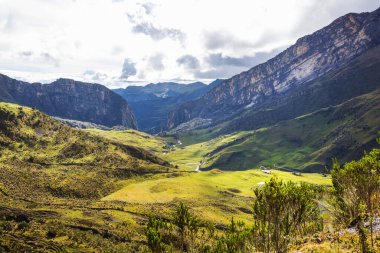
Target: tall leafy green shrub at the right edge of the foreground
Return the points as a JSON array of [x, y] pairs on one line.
[[357, 194]]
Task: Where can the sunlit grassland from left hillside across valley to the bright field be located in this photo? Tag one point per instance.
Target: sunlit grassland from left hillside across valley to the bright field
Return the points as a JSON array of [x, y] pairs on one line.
[[87, 203]]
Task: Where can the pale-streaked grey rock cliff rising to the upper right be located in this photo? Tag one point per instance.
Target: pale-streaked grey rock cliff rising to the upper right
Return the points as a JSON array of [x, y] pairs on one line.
[[309, 58]]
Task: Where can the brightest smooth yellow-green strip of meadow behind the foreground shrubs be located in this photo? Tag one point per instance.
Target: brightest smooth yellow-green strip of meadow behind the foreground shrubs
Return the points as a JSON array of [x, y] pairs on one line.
[[203, 185]]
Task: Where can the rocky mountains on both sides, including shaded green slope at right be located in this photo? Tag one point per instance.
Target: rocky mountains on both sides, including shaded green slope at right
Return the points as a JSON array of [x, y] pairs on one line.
[[316, 78]]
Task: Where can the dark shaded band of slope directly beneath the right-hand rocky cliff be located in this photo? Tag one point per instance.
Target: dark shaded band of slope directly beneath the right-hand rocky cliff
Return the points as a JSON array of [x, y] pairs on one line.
[[357, 77]]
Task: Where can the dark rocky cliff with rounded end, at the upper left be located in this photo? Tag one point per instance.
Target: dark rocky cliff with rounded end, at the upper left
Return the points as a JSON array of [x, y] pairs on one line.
[[70, 99]]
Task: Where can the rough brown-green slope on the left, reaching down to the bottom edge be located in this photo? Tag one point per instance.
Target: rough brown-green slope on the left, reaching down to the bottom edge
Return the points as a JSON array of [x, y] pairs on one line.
[[51, 178]]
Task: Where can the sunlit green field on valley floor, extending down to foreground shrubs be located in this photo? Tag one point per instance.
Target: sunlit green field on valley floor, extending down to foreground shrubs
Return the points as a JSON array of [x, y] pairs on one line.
[[222, 192]]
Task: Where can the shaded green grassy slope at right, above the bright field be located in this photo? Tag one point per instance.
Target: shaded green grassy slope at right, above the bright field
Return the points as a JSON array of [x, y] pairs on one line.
[[307, 142]]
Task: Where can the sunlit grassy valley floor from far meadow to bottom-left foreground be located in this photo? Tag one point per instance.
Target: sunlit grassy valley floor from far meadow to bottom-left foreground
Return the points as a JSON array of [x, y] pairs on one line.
[[115, 221]]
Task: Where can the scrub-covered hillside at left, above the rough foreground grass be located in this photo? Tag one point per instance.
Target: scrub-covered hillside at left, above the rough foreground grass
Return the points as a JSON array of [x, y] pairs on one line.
[[42, 156]]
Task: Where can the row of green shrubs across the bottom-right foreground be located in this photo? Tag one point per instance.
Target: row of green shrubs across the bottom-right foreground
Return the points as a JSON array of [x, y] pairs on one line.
[[282, 214]]
